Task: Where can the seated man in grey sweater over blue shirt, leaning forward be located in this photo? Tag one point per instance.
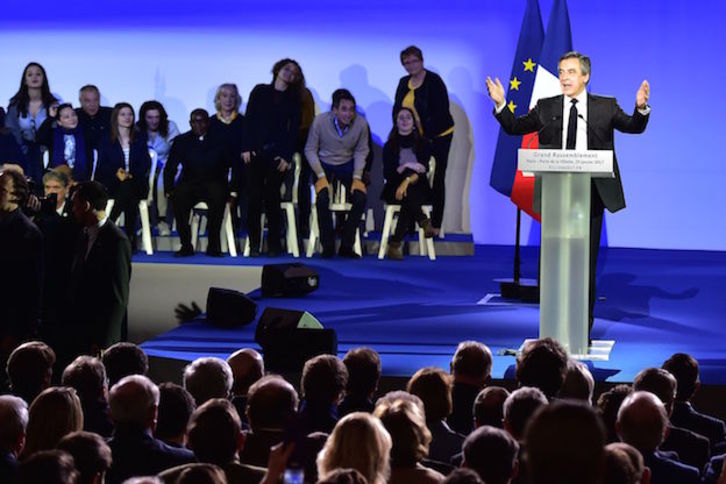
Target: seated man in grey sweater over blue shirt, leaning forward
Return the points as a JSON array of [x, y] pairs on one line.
[[336, 149]]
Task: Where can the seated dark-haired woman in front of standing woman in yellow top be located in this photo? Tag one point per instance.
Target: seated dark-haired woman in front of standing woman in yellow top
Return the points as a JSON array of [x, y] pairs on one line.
[[405, 162]]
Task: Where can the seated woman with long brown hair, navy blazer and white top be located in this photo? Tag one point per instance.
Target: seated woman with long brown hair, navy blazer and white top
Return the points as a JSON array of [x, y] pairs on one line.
[[123, 167]]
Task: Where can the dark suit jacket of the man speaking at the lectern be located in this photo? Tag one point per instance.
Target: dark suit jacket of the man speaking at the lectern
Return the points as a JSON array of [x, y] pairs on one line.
[[603, 117]]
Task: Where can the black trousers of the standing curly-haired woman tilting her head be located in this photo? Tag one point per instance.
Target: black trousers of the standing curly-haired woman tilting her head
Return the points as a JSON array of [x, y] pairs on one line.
[[265, 182]]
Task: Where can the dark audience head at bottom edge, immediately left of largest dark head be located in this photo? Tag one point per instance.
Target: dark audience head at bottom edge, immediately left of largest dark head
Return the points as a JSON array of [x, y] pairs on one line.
[[492, 453]]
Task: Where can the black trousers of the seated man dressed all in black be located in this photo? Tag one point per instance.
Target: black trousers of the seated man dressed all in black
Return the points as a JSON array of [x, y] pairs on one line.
[[189, 193]]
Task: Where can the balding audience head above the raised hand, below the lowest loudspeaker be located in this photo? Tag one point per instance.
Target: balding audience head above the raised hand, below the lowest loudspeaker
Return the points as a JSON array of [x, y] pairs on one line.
[[271, 402]]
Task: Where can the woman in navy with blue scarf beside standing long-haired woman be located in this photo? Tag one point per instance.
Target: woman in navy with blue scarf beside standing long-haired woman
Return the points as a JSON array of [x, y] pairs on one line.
[[67, 142]]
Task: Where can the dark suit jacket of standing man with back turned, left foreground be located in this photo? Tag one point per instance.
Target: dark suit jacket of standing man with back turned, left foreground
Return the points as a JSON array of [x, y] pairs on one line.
[[99, 288]]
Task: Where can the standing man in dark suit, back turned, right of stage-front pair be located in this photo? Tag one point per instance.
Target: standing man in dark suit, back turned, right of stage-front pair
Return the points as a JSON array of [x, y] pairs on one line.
[[99, 284]]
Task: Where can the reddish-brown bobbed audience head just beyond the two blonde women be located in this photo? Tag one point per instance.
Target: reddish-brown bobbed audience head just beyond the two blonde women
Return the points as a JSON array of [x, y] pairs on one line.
[[433, 386]]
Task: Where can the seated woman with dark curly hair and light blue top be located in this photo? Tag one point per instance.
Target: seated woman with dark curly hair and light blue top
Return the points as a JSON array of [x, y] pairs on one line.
[[159, 132]]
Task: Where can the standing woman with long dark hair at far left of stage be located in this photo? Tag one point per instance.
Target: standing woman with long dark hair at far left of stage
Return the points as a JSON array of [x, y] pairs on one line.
[[27, 110]]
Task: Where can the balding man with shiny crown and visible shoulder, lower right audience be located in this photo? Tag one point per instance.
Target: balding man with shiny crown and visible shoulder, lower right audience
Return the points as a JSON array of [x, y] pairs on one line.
[[643, 423]]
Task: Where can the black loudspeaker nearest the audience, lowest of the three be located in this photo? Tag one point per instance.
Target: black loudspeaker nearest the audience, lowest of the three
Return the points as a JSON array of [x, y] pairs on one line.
[[289, 338]]
